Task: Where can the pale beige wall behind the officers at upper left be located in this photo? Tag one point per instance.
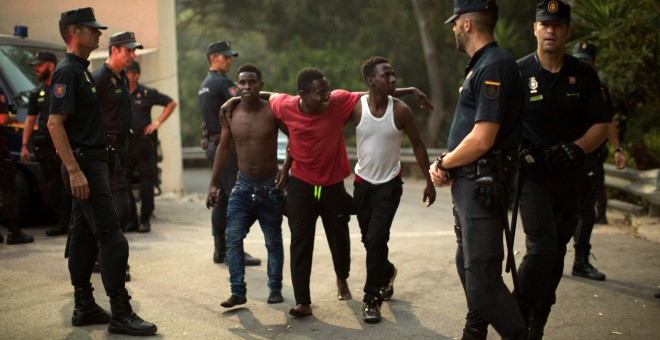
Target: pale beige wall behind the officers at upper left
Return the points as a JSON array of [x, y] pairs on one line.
[[154, 24]]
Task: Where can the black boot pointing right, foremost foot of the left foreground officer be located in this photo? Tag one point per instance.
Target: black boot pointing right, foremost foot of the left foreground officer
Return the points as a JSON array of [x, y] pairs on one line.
[[125, 321]]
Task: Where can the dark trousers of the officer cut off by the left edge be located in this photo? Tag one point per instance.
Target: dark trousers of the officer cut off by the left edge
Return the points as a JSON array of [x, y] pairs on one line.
[[8, 188]]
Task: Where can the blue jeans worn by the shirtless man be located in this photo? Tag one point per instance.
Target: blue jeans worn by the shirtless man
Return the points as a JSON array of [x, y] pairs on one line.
[[251, 200]]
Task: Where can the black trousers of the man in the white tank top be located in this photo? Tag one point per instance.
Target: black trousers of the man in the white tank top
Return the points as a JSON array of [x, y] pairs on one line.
[[376, 206]]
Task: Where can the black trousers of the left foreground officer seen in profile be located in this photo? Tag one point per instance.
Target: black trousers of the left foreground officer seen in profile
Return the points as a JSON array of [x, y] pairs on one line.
[[95, 231]]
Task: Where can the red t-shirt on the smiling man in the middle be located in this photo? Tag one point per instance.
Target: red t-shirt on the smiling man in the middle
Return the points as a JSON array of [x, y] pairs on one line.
[[315, 141]]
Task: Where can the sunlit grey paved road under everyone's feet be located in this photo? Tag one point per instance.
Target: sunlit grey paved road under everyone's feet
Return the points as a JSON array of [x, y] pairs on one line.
[[176, 285]]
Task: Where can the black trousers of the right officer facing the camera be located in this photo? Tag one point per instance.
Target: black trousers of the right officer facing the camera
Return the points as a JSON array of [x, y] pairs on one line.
[[549, 209]]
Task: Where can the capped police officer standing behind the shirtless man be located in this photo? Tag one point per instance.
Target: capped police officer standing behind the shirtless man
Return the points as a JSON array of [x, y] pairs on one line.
[[214, 91]]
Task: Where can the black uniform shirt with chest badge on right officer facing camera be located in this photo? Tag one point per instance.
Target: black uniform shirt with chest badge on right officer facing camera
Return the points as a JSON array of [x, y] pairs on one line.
[[561, 107]]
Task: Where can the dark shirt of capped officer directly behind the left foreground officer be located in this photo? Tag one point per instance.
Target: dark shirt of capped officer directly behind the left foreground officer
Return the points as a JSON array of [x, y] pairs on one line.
[[114, 99]]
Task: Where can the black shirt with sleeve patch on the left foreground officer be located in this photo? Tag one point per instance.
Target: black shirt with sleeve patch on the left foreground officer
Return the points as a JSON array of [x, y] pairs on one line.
[[73, 93]]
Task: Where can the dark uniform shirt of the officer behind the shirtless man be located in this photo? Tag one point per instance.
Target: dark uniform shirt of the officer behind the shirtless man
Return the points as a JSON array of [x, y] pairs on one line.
[[215, 90]]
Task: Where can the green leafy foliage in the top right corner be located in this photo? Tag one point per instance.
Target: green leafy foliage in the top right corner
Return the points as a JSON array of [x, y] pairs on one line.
[[628, 41]]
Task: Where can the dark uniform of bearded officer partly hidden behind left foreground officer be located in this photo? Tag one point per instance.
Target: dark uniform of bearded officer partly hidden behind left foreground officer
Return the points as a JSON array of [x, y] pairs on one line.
[[44, 150]]
